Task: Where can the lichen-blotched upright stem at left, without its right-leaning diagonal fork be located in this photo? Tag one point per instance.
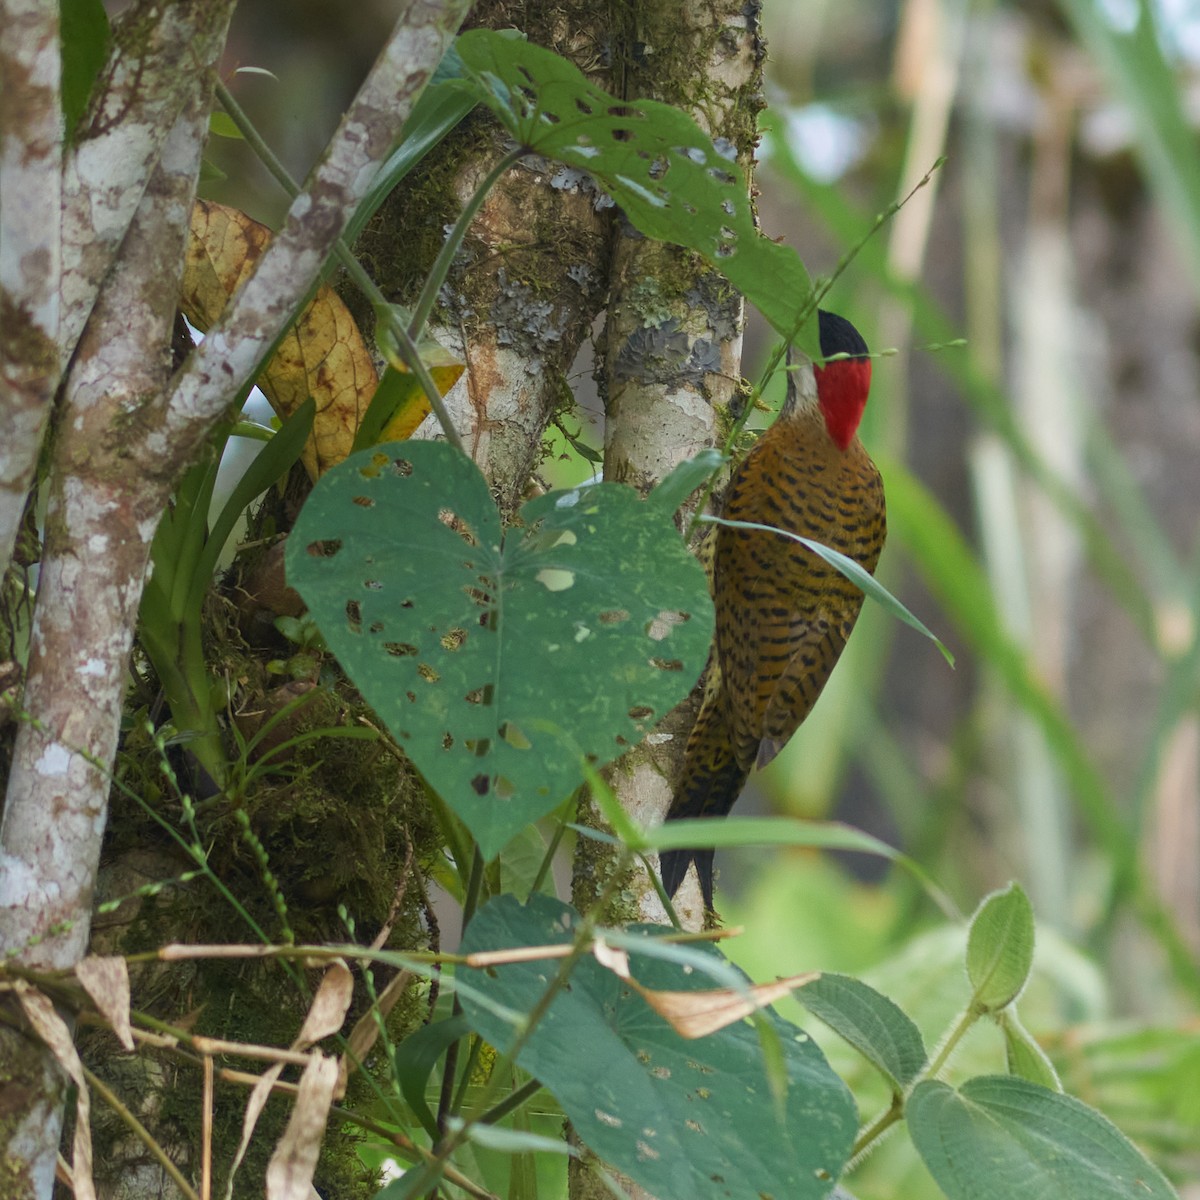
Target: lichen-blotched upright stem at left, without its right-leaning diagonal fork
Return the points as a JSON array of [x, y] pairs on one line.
[[100, 520]]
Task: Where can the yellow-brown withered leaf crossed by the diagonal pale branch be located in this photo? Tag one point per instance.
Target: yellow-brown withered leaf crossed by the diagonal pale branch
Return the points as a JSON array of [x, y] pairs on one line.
[[322, 356]]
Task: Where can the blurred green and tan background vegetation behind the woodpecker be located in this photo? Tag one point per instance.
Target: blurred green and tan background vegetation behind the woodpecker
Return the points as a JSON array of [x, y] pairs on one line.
[[1043, 485]]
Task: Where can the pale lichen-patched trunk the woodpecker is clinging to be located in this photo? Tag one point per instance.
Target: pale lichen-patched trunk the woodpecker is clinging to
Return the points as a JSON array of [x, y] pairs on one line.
[[674, 337]]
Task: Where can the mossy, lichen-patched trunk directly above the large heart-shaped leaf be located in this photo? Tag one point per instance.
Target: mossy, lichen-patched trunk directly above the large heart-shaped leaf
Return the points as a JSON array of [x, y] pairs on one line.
[[530, 279]]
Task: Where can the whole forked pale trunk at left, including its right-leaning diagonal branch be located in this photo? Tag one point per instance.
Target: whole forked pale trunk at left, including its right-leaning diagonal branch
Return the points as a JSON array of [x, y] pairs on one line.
[[125, 439]]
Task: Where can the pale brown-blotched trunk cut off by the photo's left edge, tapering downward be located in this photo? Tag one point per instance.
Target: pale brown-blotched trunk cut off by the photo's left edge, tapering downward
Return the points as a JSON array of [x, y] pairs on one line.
[[31, 245]]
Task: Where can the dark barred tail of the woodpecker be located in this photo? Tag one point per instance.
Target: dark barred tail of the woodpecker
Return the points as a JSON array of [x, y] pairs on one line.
[[711, 782]]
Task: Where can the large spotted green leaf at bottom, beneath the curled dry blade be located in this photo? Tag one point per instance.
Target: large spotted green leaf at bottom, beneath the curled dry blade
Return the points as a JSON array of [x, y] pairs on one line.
[[681, 1119]]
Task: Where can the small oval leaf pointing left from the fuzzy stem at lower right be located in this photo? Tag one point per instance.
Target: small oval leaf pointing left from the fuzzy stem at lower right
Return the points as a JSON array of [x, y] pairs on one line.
[[874, 1025]]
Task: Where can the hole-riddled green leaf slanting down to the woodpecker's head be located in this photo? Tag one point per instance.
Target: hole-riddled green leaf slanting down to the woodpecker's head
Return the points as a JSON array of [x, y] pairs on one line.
[[656, 163]]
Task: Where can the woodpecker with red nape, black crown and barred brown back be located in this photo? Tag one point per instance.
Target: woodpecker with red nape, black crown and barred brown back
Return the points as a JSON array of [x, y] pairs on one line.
[[783, 614]]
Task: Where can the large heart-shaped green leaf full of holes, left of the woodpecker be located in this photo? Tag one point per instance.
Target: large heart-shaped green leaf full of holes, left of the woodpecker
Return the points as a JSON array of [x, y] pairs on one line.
[[500, 662]]
